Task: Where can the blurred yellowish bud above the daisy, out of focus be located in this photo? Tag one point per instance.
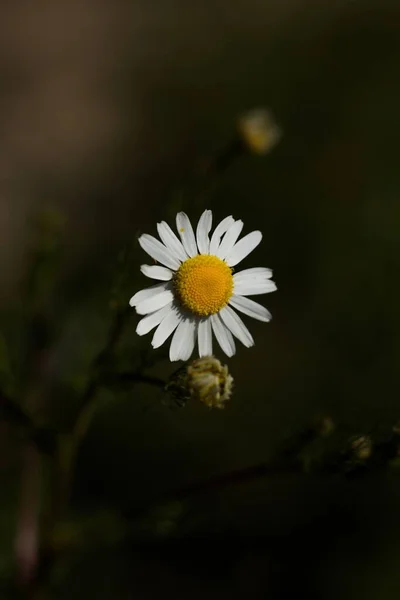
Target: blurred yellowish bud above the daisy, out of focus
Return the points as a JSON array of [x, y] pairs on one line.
[[259, 131]]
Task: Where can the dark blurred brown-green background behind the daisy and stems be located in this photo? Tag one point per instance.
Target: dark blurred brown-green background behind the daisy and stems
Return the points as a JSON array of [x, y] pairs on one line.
[[107, 109]]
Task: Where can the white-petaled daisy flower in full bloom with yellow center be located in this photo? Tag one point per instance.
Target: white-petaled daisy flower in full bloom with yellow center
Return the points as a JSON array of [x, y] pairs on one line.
[[200, 294]]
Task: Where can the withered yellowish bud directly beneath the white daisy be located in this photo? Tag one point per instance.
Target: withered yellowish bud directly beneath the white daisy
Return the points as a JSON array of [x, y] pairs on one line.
[[203, 379]]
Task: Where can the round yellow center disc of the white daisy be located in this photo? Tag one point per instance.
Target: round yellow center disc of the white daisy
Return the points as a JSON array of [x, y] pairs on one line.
[[204, 284]]
